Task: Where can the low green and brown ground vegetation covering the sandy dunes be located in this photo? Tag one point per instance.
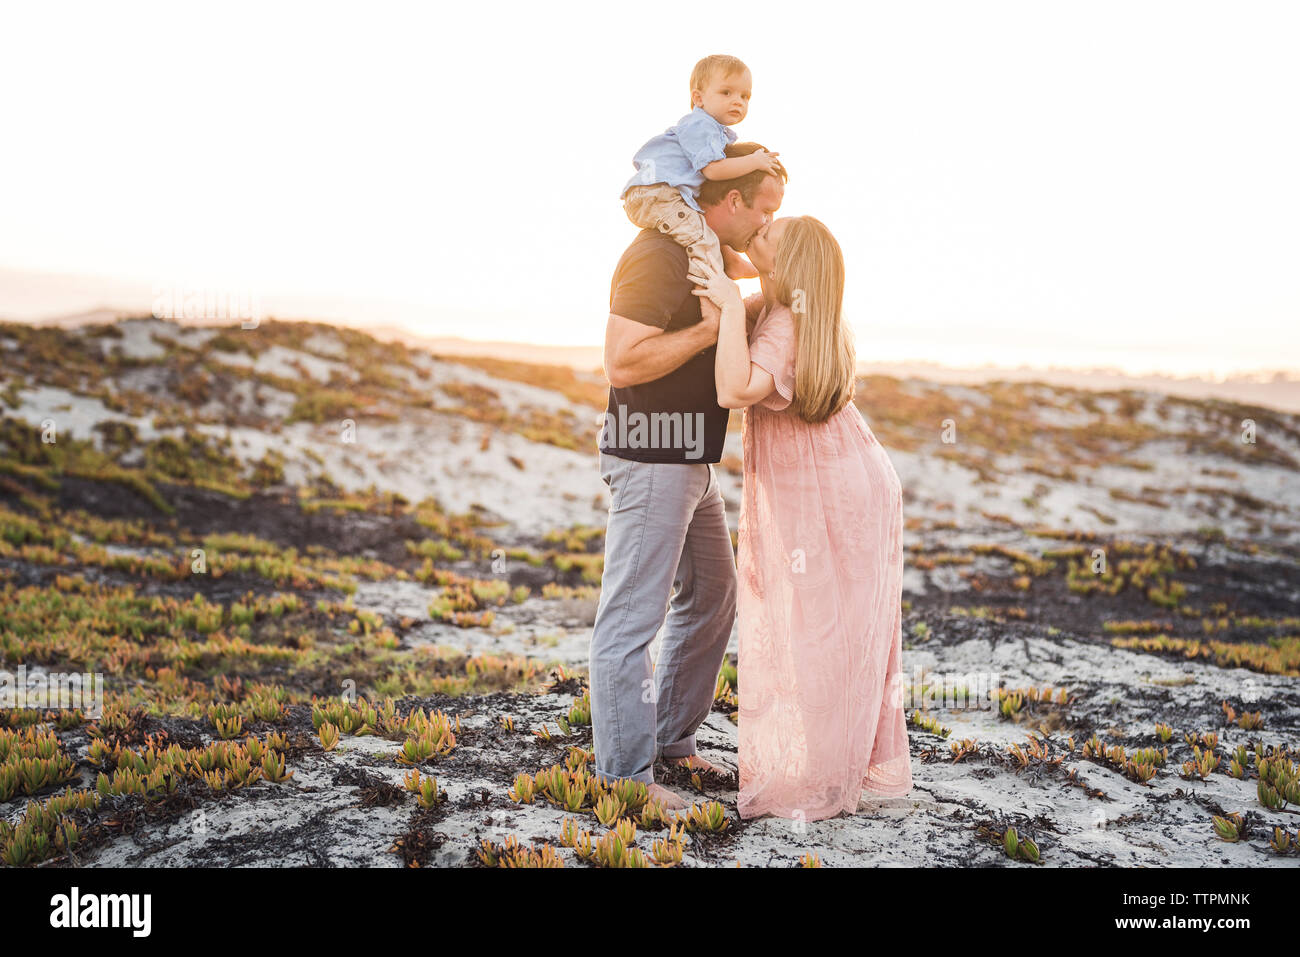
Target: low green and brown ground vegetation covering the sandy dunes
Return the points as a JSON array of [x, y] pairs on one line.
[[215, 597]]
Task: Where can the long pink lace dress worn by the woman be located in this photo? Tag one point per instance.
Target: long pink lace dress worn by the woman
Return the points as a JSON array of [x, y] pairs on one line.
[[820, 607]]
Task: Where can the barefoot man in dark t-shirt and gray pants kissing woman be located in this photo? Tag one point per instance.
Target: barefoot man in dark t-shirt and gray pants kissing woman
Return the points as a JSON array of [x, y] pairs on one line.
[[668, 527]]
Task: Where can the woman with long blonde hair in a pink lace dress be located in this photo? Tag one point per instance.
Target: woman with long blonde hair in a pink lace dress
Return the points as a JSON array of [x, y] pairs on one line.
[[821, 542]]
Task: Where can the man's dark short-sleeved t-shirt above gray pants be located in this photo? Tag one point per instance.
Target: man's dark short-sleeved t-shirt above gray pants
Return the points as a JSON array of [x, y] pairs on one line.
[[675, 418]]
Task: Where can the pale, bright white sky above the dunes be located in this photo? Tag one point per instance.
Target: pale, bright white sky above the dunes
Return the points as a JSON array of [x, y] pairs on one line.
[[1110, 184]]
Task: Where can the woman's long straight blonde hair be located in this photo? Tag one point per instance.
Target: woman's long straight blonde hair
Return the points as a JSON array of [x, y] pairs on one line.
[[811, 280]]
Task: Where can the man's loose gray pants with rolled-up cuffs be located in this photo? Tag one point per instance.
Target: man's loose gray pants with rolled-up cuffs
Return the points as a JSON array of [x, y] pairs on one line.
[[668, 529]]
